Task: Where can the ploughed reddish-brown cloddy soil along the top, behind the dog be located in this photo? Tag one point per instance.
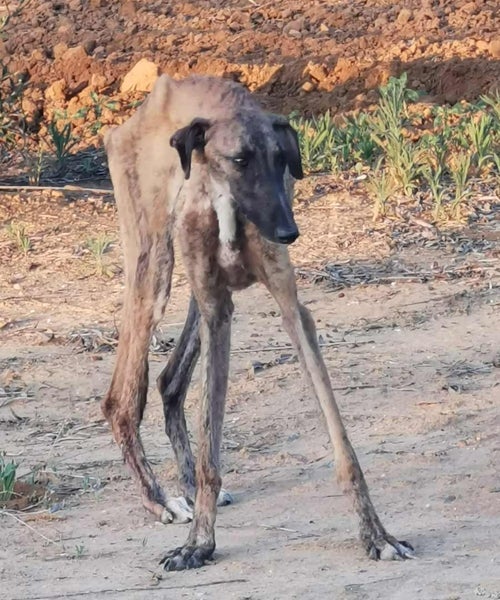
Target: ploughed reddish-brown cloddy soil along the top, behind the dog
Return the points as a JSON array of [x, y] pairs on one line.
[[312, 56]]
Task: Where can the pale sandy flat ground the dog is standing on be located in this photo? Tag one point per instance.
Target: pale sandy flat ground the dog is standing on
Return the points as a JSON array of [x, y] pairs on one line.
[[413, 357]]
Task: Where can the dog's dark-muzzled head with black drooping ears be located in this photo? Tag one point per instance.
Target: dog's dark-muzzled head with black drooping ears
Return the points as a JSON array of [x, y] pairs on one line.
[[247, 157]]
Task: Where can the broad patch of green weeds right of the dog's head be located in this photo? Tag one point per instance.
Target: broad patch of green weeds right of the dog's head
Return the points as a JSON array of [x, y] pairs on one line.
[[401, 157]]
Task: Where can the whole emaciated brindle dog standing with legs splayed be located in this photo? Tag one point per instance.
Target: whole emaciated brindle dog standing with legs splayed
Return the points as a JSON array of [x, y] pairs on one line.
[[200, 160]]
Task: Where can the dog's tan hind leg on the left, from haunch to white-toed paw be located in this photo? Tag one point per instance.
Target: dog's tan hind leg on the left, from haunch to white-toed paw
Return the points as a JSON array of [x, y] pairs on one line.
[[146, 183]]
